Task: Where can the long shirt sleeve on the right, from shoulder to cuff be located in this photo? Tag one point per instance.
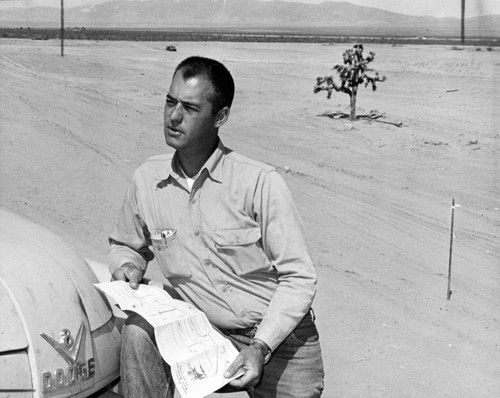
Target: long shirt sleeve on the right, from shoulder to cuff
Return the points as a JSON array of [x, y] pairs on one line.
[[285, 243]]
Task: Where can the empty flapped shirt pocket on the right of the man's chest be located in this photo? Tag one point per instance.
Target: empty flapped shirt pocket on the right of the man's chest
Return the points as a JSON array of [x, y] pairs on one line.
[[241, 249]]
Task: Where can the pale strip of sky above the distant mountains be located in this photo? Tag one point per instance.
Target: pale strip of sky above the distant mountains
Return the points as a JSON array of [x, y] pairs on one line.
[[435, 8]]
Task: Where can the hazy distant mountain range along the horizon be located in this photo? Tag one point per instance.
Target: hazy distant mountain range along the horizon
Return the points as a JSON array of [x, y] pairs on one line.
[[332, 17]]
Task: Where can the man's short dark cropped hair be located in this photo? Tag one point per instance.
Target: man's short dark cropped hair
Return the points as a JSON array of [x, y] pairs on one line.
[[216, 73]]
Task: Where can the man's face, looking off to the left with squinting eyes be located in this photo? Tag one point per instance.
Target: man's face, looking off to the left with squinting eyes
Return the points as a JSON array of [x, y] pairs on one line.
[[190, 126]]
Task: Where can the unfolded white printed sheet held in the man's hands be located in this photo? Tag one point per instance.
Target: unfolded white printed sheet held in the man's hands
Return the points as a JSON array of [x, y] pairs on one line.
[[198, 355]]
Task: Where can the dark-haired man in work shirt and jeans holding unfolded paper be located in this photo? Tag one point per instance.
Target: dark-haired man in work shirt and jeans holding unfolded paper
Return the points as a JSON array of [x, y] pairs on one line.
[[226, 234]]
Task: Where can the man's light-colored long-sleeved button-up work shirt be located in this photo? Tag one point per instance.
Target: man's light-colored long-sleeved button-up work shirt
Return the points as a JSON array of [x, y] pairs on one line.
[[233, 245]]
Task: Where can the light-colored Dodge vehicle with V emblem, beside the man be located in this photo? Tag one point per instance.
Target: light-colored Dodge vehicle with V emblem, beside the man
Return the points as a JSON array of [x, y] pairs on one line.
[[58, 334]]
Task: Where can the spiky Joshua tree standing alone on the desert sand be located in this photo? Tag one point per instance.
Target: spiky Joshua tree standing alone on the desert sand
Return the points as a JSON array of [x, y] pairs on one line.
[[352, 73]]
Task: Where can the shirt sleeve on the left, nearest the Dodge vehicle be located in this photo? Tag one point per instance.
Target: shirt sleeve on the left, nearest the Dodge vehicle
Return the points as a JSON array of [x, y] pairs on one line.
[[129, 238]]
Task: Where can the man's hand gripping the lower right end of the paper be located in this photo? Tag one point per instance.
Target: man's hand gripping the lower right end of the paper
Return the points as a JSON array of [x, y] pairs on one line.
[[251, 361]]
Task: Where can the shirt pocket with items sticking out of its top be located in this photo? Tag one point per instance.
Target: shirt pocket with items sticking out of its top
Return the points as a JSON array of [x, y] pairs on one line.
[[168, 253]]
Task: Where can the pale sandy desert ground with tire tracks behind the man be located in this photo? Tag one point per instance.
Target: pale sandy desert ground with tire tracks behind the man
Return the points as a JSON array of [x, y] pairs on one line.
[[375, 198]]
